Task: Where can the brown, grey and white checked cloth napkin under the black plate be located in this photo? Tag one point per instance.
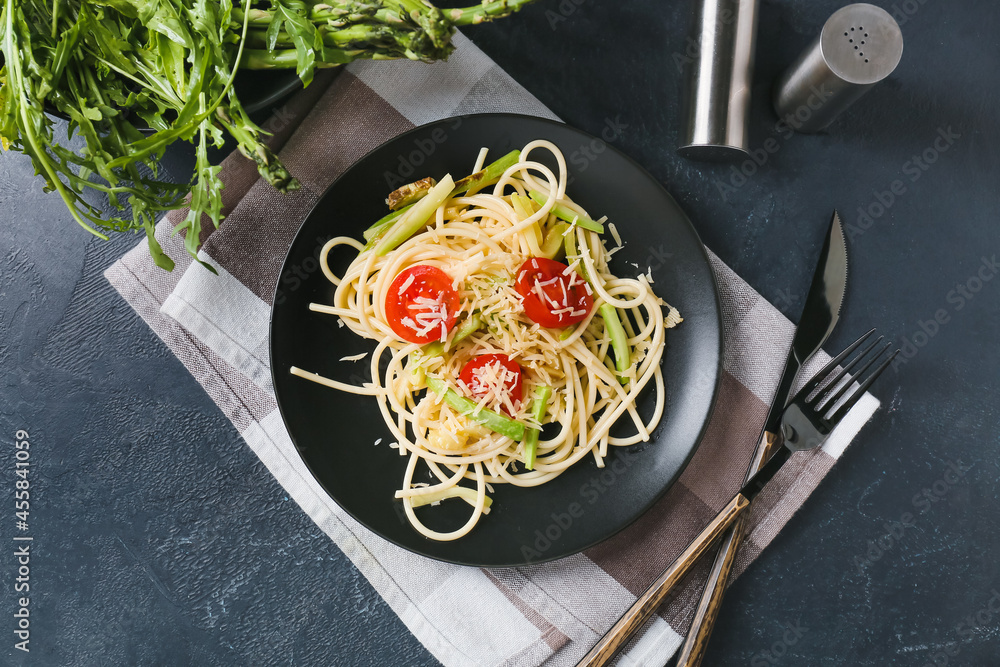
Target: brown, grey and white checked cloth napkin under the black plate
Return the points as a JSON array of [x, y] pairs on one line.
[[550, 613]]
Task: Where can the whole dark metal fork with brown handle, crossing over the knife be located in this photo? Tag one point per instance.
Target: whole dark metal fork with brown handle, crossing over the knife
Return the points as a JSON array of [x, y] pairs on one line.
[[806, 423]]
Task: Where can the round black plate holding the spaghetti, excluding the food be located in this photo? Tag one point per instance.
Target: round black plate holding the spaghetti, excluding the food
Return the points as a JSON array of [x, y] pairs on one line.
[[335, 432]]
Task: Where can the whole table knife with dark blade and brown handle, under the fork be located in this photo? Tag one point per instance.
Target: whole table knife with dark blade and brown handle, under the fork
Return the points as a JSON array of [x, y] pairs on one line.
[[819, 317]]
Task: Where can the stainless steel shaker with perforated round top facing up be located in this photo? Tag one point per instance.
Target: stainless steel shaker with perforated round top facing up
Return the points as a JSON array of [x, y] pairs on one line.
[[860, 45]]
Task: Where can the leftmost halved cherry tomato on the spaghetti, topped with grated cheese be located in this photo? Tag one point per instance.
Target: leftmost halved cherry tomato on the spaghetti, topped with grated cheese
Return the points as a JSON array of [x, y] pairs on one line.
[[421, 305]]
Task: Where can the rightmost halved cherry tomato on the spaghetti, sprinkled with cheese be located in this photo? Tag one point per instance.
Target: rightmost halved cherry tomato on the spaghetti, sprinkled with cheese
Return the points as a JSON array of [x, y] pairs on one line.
[[554, 296]]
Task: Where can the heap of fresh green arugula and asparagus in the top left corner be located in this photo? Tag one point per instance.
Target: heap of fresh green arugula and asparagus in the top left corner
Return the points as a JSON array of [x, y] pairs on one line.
[[133, 76]]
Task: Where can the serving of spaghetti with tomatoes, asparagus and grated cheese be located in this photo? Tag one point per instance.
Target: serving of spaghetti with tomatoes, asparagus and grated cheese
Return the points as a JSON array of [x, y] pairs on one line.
[[471, 399]]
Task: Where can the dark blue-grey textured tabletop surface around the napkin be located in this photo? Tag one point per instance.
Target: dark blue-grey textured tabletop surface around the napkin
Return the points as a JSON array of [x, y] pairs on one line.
[[159, 539]]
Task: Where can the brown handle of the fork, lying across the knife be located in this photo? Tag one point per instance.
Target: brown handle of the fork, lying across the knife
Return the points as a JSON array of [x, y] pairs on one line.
[[648, 602]]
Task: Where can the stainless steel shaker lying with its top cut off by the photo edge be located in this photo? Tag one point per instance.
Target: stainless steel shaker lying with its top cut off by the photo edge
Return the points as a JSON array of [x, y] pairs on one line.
[[721, 71]]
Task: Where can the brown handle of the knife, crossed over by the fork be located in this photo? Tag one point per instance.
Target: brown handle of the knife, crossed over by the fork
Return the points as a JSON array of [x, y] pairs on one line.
[[696, 643]]
